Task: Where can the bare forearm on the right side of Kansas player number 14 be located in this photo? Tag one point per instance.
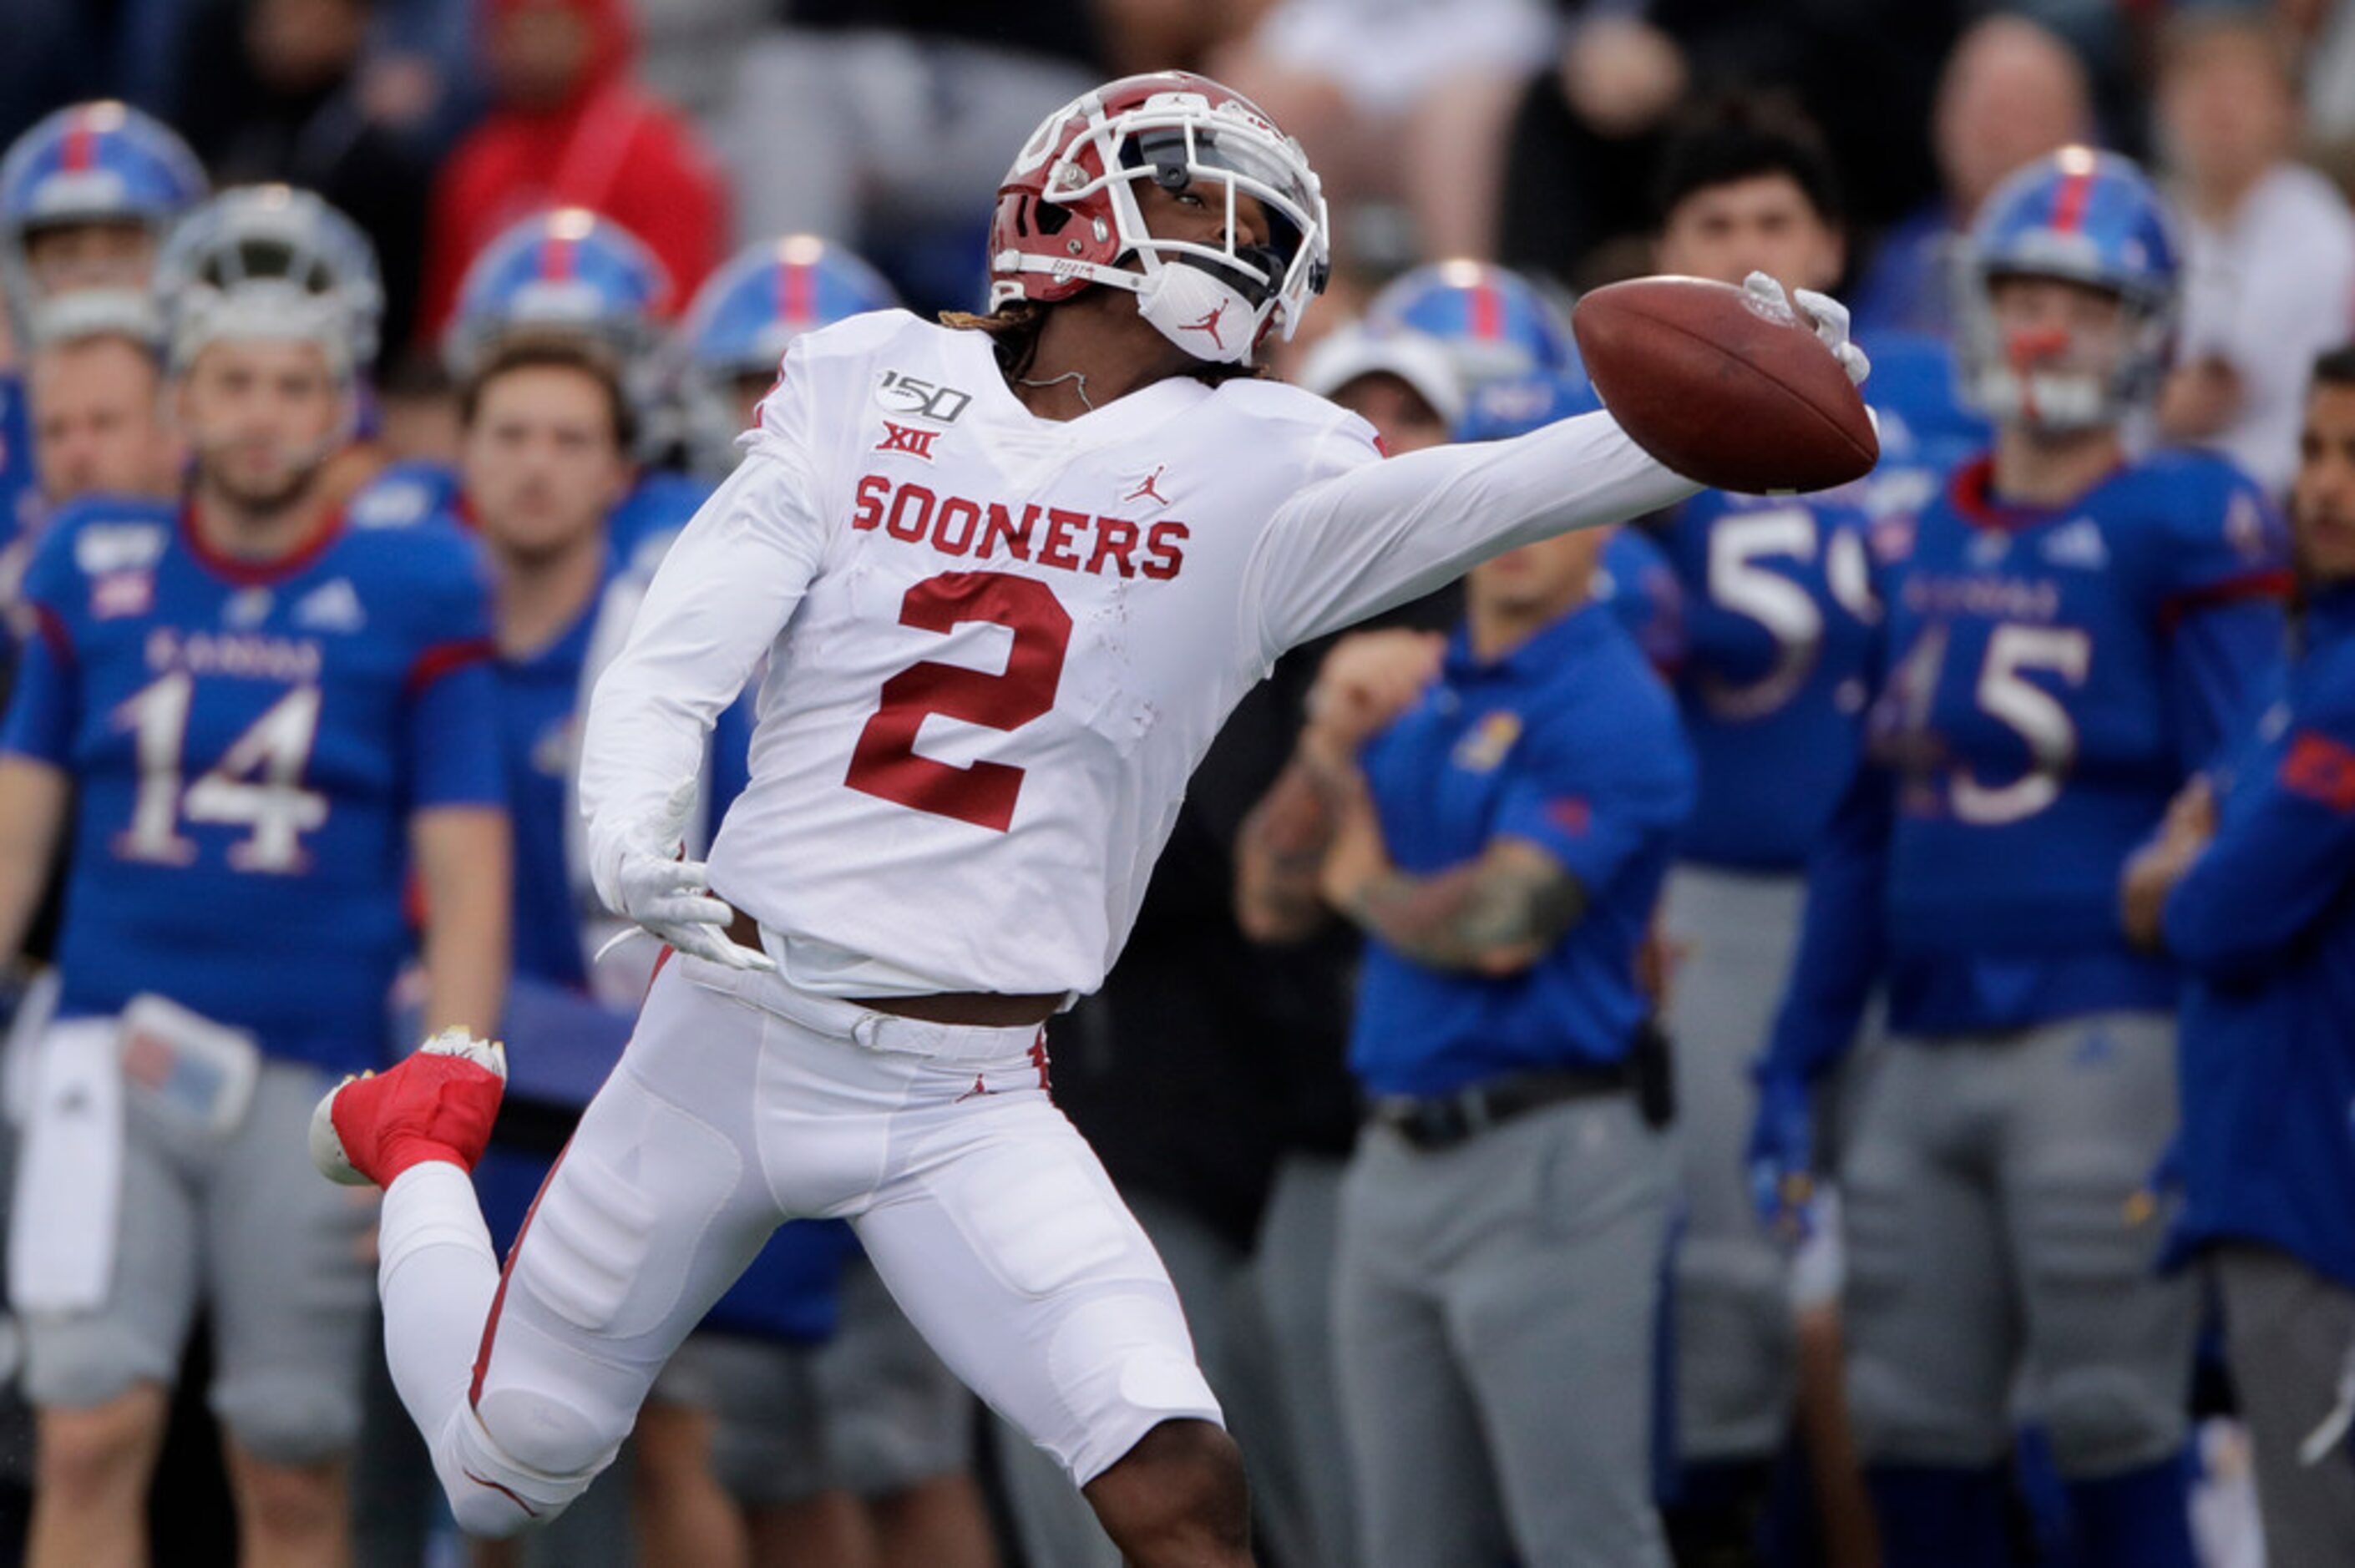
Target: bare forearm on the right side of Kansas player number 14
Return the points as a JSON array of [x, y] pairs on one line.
[[463, 863]]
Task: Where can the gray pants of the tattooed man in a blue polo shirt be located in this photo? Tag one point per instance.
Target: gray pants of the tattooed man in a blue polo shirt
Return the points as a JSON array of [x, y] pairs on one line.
[[1494, 1315]]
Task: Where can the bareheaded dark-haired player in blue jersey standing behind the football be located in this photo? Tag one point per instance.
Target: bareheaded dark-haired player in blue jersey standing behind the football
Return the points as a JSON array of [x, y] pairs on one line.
[[1777, 642]]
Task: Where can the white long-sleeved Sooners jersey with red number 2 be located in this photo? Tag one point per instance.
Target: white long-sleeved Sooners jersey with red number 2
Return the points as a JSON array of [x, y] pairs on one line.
[[997, 644]]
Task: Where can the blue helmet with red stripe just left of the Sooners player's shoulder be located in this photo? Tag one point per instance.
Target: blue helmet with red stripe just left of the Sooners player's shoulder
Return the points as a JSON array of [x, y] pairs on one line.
[[745, 317]]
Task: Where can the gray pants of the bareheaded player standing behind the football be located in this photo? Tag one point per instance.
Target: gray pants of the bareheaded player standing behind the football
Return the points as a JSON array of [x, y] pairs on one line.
[[1732, 943]]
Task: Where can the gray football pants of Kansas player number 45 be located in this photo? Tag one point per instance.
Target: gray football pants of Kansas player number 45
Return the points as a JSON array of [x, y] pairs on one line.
[[1998, 1223]]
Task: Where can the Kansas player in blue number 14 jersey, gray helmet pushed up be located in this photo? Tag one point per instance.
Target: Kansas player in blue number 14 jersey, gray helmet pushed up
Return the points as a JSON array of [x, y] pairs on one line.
[[263, 722]]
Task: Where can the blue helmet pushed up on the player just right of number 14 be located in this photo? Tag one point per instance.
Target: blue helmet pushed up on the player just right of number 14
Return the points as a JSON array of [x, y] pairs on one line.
[[562, 274]]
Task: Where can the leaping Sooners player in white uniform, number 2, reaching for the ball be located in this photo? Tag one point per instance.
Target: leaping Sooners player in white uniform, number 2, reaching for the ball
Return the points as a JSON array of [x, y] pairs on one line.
[[1009, 583]]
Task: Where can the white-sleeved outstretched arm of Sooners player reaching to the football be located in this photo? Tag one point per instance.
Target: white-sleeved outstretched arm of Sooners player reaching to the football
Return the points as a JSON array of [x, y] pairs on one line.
[[1393, 531]]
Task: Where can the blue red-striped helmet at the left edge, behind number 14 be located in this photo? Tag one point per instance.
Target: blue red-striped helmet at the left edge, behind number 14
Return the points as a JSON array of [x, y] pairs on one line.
[[91, 164]]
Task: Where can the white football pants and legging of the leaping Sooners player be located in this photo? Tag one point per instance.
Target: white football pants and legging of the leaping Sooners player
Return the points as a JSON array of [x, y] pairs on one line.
[[738, 1105]]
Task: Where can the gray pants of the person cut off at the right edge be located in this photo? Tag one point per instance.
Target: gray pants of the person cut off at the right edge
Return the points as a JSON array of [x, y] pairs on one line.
[[2288, 1336]]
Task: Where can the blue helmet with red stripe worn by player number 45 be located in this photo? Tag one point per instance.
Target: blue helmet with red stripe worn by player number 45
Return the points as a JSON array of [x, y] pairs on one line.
[[2085, 218]]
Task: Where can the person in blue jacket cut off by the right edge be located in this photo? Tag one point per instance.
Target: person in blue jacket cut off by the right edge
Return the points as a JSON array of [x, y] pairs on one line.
[[2250, 889]]
